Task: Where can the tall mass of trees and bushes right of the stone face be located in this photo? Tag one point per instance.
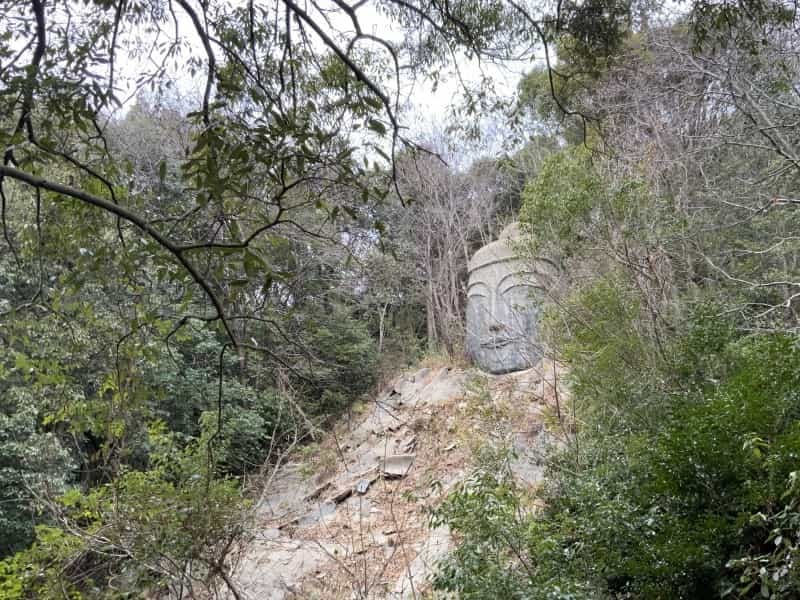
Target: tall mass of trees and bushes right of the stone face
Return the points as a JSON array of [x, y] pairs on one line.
[[671, 210]]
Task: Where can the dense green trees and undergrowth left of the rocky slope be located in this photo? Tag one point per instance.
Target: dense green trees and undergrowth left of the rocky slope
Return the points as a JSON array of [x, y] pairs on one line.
[[126, 433]]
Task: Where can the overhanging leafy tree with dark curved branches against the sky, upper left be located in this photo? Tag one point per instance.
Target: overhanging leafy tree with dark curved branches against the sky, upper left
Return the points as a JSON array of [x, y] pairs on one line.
[[291, 101]]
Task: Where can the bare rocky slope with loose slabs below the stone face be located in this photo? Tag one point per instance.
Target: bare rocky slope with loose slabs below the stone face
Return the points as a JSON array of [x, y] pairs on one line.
[[349, 517]]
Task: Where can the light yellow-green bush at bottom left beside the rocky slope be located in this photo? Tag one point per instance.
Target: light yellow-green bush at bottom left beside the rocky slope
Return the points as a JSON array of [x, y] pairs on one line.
[[146, 530]]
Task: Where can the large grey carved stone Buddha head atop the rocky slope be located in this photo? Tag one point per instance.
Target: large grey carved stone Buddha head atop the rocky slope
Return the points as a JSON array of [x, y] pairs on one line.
[[504, 297]]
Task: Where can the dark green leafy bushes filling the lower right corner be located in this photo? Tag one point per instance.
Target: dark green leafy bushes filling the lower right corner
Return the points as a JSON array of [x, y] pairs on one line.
[[702, 502]]
